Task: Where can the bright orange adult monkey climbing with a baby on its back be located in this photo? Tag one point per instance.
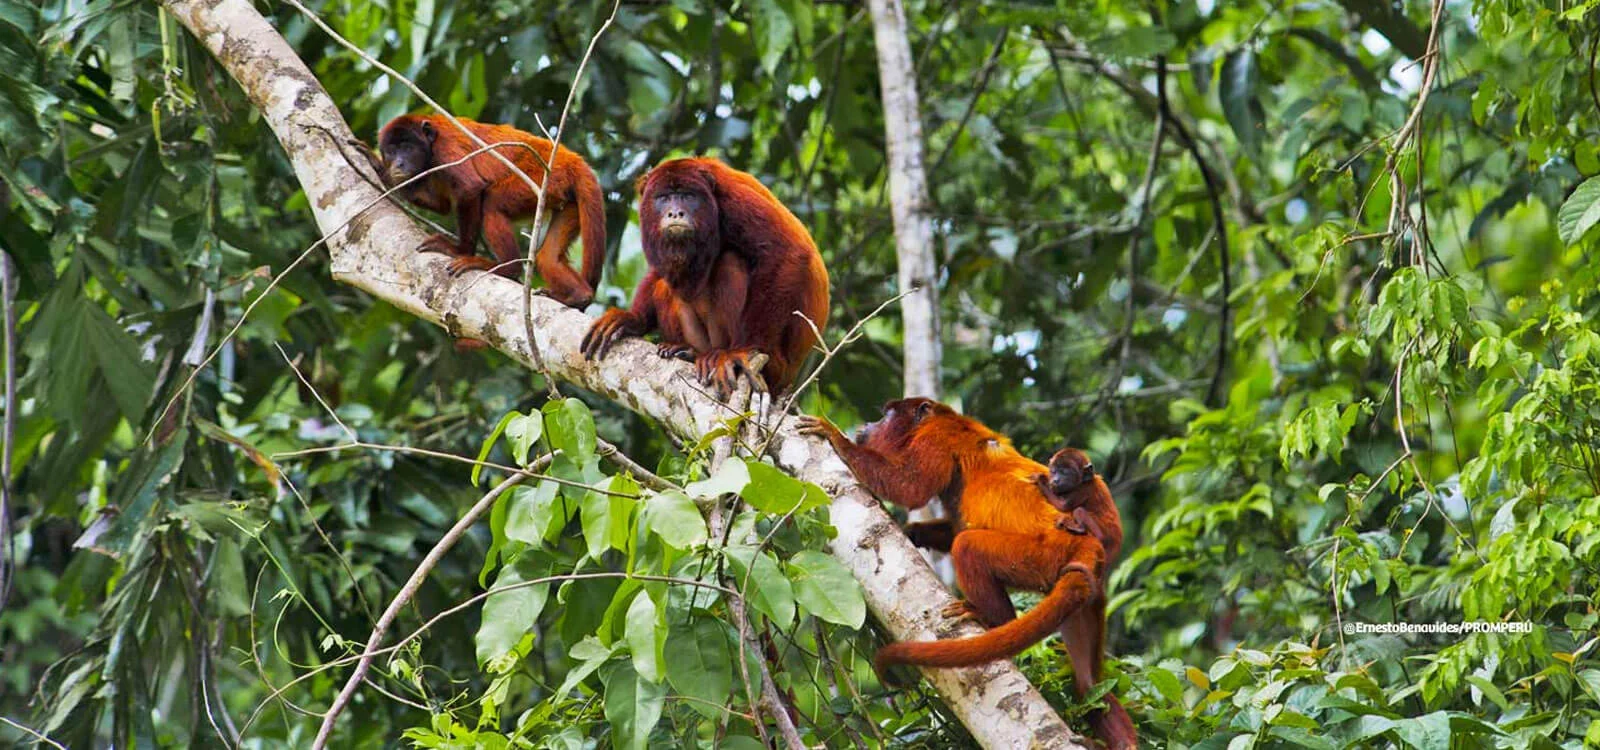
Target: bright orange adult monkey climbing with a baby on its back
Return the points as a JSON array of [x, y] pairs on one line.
[[1002, 535]]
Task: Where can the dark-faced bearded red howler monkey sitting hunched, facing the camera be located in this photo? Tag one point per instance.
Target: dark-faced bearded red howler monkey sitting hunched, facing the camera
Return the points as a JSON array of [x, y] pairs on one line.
[[730, 266]]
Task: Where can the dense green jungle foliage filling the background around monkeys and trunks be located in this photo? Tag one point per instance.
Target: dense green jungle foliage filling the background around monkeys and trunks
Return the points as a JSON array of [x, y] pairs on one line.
[[1370, 396]]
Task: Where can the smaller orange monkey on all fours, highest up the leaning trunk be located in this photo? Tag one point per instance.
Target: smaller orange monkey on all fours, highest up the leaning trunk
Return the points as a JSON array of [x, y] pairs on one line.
[[489, 197]]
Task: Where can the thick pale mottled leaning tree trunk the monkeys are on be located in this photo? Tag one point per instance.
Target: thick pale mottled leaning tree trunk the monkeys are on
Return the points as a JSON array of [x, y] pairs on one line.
[[375, 252]]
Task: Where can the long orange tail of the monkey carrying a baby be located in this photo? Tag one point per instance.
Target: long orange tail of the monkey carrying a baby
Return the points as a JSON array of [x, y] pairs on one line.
[[1004, 642]]
